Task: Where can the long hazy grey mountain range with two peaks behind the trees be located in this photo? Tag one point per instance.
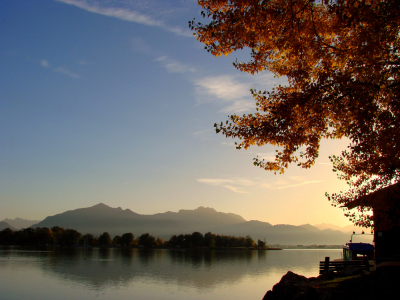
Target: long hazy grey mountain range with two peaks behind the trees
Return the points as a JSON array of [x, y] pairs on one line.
[[116, 221]]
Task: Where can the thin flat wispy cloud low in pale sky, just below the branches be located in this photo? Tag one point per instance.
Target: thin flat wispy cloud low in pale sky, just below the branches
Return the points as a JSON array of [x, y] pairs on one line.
[[240, 185]]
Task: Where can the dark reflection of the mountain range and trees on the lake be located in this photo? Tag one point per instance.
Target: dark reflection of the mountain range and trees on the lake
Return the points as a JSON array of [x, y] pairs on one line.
[[202, 269]]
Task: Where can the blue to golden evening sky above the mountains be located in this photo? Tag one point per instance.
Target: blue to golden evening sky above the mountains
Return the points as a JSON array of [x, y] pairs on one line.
[[114, 102]]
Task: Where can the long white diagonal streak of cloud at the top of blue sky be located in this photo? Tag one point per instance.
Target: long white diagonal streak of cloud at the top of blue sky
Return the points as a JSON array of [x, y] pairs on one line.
[[119, 11]]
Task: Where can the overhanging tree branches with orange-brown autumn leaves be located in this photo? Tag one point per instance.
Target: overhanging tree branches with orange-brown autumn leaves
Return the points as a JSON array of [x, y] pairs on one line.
[[341, 60]]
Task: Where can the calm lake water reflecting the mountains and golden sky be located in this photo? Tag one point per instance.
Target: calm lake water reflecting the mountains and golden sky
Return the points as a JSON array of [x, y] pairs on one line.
[[99, 273]]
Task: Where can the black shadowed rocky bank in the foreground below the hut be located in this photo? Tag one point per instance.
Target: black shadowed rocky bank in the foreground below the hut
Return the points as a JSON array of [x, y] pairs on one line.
[[349, 284]]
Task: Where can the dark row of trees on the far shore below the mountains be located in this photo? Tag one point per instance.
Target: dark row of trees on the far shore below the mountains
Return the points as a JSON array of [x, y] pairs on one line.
[[71, 237]]
